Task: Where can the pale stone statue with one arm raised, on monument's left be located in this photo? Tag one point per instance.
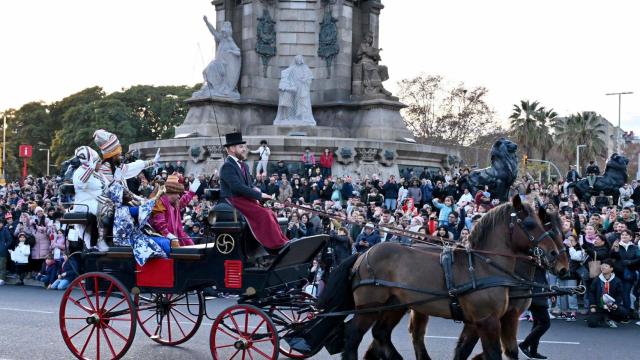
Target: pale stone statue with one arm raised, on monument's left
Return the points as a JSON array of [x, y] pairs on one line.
[[222, 74]]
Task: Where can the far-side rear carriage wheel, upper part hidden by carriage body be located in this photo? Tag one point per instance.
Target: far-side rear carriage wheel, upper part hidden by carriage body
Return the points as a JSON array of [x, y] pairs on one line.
[[170, 319]]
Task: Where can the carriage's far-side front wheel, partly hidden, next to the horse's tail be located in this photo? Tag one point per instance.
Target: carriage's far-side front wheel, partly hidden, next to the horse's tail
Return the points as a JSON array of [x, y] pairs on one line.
[[291, 318]]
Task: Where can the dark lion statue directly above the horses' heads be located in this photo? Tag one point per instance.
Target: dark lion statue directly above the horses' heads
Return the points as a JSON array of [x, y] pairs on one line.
[[502, 173]]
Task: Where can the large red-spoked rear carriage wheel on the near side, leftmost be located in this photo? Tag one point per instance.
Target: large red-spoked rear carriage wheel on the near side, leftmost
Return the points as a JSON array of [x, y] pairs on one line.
[[97, 317]]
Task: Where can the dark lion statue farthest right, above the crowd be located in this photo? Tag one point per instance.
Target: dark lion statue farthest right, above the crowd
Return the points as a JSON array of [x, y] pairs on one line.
[[614, 177]]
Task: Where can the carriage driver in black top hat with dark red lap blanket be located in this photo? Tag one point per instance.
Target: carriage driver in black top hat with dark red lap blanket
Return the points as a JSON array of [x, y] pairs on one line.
[[236, 188]]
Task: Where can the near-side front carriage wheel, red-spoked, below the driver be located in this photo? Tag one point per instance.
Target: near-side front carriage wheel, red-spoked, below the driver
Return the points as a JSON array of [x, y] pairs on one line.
[[243, 332]]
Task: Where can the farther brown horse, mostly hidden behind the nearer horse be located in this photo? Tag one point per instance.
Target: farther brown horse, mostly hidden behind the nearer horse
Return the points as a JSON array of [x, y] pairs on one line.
[[509, 321]]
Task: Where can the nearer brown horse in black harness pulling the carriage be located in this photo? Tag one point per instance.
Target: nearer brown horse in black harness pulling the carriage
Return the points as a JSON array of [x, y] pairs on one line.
[[391, 274]]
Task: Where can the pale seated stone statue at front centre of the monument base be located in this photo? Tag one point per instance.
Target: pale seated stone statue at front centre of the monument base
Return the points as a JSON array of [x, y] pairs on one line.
[[294, 103]]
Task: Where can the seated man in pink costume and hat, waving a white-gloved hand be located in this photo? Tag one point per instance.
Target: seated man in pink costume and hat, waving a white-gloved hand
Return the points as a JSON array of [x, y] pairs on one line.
[[166, 218]]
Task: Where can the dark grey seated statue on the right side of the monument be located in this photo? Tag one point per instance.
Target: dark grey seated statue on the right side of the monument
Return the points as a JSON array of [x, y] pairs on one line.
[[367, 70]]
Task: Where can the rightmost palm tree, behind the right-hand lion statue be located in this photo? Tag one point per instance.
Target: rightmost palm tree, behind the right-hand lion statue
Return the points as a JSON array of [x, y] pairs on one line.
[[583, 128]]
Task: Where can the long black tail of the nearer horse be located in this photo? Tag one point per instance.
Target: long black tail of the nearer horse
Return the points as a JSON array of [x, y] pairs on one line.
[[338, 294]]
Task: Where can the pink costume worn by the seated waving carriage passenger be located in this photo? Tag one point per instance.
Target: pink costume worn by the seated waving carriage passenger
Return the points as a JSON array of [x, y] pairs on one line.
[[166, 218]]
